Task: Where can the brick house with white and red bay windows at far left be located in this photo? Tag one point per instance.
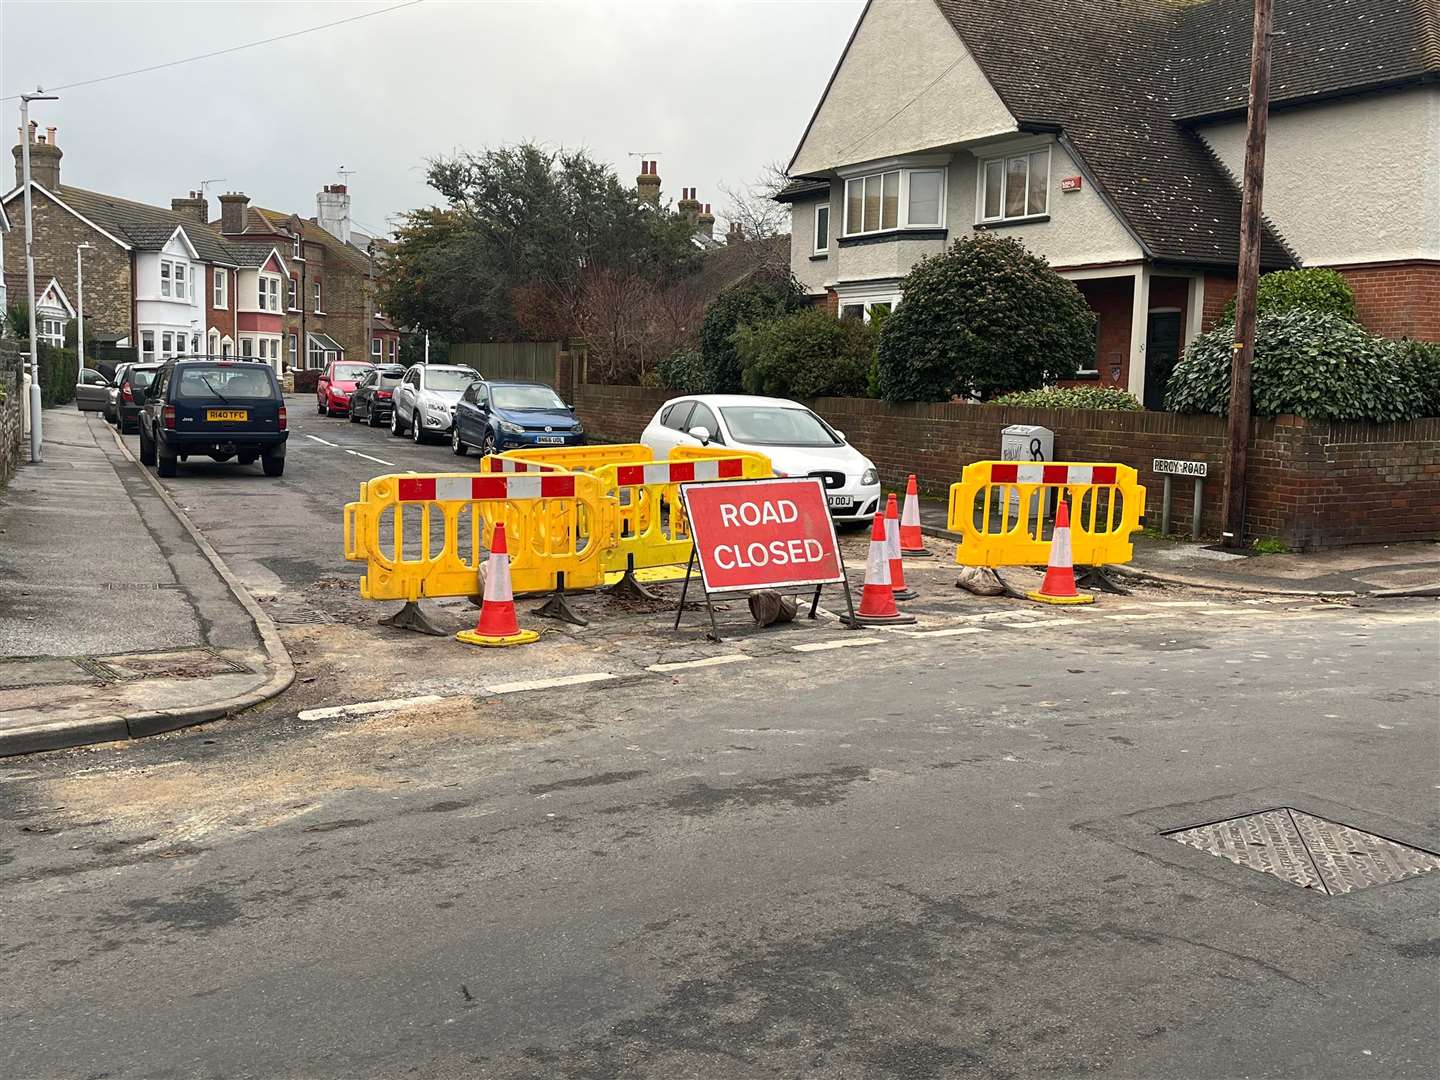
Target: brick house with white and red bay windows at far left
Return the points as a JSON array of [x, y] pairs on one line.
[[159, 280]]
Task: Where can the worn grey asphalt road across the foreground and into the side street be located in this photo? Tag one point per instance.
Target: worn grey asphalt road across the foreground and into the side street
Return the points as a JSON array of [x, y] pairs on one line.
[[938, 859]]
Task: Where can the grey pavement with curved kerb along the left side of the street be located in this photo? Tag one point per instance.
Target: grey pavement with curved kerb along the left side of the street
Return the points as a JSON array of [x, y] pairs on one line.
[[114, 617]]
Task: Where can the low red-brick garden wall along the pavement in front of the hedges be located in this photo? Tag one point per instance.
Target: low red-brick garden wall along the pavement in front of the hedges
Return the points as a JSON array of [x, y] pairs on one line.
[[1311, 485]]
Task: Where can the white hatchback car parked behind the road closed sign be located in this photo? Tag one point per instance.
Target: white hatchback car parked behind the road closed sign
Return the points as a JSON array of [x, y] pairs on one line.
[[797, 441]]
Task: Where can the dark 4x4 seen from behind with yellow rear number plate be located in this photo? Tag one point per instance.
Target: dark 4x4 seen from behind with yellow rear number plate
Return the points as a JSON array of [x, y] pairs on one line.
[[217, 408]]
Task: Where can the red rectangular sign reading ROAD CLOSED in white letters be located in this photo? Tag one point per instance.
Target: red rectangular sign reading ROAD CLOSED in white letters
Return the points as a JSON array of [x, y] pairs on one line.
[[762, 534]]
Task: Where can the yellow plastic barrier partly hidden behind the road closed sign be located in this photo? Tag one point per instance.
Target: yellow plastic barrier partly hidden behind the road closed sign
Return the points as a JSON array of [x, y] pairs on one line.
[[652, 523]]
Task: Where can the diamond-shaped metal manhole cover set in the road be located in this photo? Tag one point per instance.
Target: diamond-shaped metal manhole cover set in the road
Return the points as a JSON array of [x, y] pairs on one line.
[[1310, 852]]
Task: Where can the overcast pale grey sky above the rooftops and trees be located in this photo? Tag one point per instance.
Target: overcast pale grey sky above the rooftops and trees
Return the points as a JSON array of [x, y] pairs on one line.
[[718, 90]]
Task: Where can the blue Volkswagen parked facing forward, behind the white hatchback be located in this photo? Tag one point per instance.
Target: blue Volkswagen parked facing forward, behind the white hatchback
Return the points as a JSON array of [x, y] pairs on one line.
[[495, 417]]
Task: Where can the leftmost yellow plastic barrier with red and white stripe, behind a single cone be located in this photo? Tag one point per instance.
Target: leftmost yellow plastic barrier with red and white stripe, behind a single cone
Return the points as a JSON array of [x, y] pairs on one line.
[[440, 528]]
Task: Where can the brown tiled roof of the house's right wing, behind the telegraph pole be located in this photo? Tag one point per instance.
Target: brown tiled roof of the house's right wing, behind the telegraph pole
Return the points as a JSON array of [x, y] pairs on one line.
[[1321, 48]]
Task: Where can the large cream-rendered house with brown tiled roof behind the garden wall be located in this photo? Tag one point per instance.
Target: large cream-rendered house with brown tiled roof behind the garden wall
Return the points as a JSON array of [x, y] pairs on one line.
[[1108, 136]]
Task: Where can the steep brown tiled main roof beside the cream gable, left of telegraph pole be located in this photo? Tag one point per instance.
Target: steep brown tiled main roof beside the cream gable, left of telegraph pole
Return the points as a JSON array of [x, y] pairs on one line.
[[1107, 73]]
